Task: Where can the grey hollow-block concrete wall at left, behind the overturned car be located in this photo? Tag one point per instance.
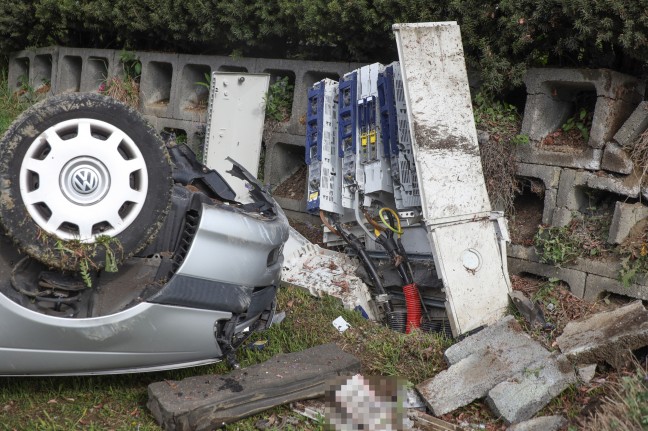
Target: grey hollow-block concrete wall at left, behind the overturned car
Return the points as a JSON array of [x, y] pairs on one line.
[[171, 99]]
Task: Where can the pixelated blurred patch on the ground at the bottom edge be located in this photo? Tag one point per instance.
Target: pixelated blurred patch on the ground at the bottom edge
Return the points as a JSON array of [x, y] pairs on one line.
[[360, 402]]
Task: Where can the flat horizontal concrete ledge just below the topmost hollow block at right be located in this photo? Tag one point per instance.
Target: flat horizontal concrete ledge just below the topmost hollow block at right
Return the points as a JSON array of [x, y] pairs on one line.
[[589, 158]]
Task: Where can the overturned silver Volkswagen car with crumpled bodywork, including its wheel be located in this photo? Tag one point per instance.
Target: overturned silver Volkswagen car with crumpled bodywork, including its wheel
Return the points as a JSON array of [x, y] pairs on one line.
[[87, 188]]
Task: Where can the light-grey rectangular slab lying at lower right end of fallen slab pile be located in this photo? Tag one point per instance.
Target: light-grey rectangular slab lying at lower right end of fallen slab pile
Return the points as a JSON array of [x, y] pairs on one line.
[[522, 396]]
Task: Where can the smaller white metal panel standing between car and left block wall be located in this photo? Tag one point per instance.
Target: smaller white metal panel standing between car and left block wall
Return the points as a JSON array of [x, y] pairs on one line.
[[235, 124]]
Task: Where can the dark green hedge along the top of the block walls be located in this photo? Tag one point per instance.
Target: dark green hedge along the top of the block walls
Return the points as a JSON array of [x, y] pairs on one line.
[[501, 39]]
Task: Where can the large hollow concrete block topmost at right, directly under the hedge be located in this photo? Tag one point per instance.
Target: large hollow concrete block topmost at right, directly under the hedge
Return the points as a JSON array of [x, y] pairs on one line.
[[551, 94]]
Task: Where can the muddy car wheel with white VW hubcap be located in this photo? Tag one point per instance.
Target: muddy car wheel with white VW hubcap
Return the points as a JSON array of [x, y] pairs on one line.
[[78, 171]]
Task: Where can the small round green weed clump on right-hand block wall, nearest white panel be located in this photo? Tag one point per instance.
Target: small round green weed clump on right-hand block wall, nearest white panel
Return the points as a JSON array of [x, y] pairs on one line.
[[555, 245]]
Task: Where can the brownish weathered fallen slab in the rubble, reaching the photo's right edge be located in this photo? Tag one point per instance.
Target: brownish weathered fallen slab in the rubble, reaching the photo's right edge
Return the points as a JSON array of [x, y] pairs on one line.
[[607, 336]]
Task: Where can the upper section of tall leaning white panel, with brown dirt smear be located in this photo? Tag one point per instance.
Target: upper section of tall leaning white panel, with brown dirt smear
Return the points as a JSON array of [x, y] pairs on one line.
[[441, 120]]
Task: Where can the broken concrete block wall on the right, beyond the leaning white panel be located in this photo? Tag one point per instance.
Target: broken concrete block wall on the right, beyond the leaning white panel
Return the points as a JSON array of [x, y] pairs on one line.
[[571, 177]]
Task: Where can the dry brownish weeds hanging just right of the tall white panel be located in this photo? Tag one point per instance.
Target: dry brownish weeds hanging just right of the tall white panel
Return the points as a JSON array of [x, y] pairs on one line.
[[502, 122]]
